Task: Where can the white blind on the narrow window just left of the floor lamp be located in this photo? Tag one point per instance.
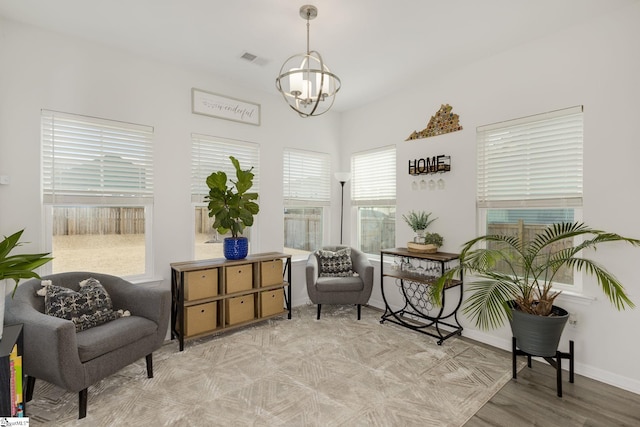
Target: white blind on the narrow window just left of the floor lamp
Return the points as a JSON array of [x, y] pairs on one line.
[[306, 178]]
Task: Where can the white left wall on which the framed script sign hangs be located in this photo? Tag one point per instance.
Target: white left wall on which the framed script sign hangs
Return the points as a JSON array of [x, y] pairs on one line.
[[45, 70]]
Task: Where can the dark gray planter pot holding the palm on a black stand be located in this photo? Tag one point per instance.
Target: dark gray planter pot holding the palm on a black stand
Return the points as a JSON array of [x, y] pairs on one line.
[[538, 335]]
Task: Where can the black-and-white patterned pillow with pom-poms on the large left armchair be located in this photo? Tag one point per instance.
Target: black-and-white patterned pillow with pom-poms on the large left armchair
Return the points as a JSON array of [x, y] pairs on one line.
[[89, 307]]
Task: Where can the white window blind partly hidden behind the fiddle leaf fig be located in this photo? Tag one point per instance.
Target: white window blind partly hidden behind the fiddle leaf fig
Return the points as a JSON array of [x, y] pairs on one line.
[[211, 154]]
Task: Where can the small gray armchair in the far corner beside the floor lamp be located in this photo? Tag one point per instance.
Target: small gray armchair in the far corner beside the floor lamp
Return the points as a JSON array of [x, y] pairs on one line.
[[324, 287]]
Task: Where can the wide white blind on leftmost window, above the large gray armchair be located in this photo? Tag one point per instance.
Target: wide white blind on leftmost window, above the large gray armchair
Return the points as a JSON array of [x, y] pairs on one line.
[[87, 160]]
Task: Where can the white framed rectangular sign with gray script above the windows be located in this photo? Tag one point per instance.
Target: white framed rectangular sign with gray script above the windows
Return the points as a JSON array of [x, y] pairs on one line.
[[224, 107]]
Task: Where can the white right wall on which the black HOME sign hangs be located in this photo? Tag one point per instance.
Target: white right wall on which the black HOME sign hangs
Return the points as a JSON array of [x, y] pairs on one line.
[[595, 65]]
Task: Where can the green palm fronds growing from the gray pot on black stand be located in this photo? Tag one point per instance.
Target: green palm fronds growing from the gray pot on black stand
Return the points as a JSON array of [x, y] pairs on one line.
[[531, 269]]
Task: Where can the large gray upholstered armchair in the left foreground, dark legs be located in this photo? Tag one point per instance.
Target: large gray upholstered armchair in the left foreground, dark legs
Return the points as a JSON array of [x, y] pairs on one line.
[[56, 353]]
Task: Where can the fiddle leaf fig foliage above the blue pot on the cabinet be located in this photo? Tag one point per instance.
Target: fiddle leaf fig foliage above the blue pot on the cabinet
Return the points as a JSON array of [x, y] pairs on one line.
[[232, 206]]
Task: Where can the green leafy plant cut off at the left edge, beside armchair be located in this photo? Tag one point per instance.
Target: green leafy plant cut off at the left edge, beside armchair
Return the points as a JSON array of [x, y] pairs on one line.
[[19, 266]]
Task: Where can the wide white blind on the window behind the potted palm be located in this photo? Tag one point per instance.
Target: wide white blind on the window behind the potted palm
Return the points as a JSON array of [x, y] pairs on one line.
[[534, 161]]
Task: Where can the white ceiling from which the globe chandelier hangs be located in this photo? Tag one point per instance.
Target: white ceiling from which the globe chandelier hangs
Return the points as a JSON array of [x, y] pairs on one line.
[[374, 46]]
